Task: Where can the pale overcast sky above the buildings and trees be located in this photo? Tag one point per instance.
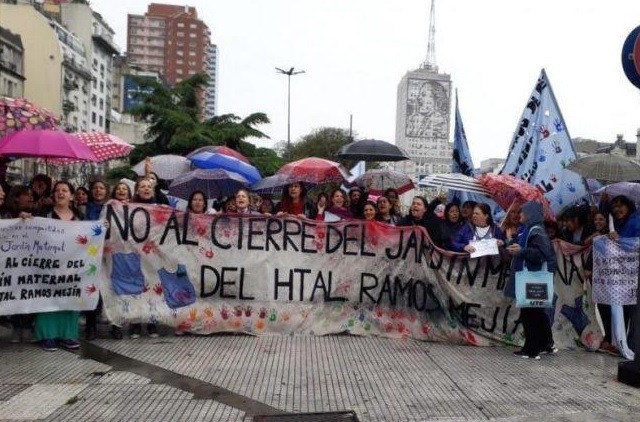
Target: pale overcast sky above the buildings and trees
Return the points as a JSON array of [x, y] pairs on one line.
[[355, 52]]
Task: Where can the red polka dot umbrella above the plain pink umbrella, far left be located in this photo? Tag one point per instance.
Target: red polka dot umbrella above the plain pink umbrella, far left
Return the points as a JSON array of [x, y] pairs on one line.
[[18, 114]]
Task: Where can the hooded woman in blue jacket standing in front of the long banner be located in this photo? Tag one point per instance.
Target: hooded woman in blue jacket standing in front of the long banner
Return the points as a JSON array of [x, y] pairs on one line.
[[533, 248]]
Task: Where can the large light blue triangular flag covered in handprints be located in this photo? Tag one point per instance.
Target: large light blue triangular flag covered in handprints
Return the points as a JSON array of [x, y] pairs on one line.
[[541, 149]]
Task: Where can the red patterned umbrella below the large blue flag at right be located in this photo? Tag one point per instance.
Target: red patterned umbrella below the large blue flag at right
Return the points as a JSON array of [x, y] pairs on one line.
[[508, 190]]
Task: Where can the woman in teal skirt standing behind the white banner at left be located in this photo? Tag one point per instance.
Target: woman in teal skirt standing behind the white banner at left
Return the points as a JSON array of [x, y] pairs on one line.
[[62, 326]]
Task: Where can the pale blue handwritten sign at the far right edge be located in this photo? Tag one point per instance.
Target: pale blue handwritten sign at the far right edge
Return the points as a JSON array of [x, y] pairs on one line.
[[615, 271]]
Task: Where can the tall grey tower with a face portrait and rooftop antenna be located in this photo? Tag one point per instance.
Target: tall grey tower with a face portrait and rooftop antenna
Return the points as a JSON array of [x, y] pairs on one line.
[[423, 115]]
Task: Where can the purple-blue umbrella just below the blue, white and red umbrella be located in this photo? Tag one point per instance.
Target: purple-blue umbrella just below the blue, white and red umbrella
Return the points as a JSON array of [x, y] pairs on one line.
[[213, 182]]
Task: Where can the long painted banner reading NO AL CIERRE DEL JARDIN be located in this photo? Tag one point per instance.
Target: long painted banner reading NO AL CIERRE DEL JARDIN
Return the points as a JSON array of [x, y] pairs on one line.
[[259, 275]]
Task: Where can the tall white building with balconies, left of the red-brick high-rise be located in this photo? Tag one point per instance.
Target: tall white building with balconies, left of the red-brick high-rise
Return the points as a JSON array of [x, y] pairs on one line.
[[97, 36]]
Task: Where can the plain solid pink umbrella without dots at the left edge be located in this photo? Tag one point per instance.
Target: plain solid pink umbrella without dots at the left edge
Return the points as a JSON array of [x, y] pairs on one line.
[[45, 144]]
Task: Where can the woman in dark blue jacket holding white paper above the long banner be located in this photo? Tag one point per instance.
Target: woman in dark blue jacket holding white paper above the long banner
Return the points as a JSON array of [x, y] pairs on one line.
[[480, 232]]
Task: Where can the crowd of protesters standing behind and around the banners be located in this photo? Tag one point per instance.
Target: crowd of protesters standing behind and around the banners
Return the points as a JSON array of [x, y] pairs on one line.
[[452, 226]]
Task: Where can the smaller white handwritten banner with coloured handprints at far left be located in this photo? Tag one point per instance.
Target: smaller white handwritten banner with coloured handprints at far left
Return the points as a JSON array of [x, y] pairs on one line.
[[49, 265]]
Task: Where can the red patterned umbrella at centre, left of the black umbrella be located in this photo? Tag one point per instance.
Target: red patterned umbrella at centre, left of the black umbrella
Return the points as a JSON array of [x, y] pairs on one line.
[[313, 170]]
